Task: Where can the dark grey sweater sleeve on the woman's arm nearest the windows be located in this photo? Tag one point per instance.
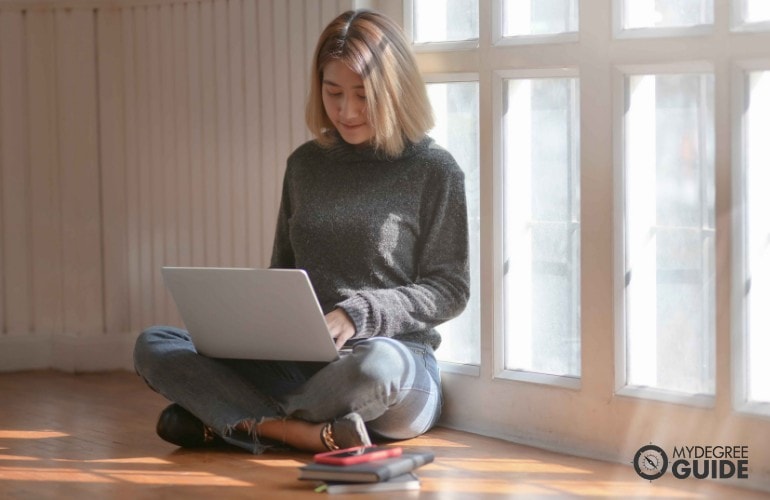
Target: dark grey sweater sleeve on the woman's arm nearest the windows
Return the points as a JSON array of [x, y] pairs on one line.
[[442, 287]]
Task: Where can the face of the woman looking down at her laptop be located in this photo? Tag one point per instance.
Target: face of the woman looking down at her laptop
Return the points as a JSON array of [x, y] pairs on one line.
[[344, 100]]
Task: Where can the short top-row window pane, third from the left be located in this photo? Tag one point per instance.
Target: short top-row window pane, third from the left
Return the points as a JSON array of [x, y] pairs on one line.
[[667, 13]]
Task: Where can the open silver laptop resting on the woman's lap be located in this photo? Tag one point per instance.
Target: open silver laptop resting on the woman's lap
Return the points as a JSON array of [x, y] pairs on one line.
[[270, 314]]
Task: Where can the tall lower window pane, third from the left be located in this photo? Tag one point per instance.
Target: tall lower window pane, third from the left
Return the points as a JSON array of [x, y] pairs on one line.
[[669, 232]]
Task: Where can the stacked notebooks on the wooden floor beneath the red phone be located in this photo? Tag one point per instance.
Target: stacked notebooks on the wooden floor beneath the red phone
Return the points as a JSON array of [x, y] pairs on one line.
[[385, 474]]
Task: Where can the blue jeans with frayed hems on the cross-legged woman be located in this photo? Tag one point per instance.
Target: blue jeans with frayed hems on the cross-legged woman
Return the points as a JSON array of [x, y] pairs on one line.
[[395, 386]]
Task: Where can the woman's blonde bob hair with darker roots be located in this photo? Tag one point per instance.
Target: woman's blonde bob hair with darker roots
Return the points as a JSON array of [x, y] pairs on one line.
[[373, 46]]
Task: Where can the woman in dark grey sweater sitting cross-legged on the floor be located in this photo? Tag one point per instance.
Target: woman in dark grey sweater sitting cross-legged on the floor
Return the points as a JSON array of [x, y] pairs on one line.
[[375, 213]]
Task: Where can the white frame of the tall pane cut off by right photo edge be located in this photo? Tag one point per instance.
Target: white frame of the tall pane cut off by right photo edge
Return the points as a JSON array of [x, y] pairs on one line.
[[739, 358]]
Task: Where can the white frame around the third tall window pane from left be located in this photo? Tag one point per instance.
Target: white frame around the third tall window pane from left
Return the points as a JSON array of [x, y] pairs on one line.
[[621, 72]]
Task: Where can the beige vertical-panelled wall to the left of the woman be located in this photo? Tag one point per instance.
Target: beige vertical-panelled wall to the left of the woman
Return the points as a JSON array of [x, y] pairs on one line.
[[133, 136]]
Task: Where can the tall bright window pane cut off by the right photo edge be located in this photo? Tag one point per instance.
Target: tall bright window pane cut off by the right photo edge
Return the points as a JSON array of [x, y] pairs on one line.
[[758, 236]]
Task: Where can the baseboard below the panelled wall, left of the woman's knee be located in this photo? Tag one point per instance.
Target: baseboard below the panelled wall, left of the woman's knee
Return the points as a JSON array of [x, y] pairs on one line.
[[68, 353]]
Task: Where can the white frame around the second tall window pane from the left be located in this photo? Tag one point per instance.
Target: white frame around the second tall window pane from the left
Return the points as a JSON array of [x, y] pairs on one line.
[[500, 371]]
